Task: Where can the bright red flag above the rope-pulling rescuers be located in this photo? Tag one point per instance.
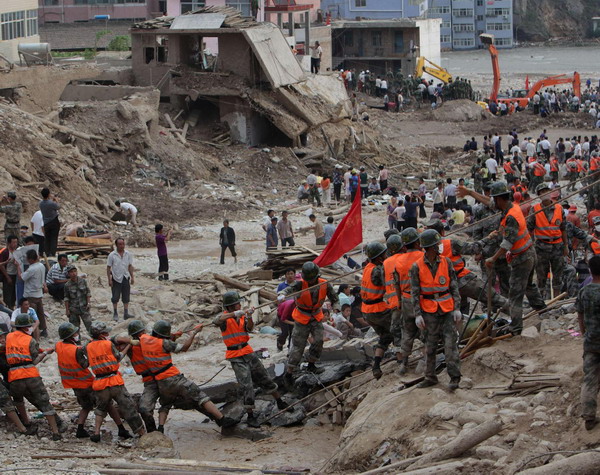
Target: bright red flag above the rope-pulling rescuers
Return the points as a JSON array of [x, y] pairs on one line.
[[347, 235]]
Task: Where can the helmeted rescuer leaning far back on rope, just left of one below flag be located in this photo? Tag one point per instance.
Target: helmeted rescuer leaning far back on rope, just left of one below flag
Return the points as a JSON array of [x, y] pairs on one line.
[[235, 324]]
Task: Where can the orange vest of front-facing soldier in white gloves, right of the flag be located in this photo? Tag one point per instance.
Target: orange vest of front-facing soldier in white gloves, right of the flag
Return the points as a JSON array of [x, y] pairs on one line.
[[435, 289]]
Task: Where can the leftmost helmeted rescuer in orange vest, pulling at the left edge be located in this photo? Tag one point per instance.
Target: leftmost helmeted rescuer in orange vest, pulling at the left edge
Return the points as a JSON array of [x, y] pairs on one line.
[[22, 355]]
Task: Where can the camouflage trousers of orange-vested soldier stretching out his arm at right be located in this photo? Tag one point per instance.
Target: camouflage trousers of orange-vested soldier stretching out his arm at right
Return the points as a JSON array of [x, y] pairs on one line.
[[521, 285]]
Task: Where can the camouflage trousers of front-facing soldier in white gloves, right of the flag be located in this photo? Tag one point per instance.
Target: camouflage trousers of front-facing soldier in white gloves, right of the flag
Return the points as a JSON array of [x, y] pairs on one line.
[[441, 327]]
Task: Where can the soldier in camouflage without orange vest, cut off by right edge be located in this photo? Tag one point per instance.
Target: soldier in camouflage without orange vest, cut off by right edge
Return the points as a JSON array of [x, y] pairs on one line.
[[588, 313]]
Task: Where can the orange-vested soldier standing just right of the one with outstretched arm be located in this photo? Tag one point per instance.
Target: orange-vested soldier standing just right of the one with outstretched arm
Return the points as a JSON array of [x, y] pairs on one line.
[[551, 243]]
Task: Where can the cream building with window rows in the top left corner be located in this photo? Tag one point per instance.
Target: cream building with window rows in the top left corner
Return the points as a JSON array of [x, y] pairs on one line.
[[18, 24]]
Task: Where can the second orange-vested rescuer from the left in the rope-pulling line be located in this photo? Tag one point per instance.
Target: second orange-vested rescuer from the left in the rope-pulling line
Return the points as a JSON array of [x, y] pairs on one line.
[[73, 367]]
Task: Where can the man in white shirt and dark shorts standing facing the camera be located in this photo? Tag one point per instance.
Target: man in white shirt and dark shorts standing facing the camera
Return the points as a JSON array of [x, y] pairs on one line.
[[119, 270]]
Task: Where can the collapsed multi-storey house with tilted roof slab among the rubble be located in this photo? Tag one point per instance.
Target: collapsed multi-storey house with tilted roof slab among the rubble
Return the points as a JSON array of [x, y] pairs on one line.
[[213, 62]]
